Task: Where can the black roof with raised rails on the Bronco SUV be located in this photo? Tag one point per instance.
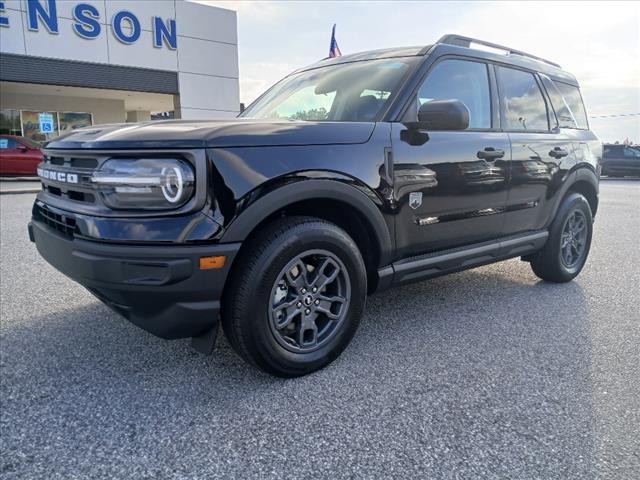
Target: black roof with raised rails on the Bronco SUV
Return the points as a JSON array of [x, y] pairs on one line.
[[460, 45]]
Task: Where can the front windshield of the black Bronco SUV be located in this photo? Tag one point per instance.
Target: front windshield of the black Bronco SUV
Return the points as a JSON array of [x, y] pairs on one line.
[[351, 92]]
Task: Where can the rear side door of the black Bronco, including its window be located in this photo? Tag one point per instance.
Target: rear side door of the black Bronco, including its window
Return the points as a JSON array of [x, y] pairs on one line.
[[541, 152]]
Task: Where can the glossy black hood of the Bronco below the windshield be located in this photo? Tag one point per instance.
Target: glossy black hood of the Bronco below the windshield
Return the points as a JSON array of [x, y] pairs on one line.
[[237, 132]]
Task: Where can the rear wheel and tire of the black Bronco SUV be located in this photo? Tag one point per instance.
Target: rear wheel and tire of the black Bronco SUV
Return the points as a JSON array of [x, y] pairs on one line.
[[552, 263]]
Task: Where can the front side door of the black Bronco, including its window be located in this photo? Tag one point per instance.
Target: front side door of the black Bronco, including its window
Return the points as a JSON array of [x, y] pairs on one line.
[[451, 189]]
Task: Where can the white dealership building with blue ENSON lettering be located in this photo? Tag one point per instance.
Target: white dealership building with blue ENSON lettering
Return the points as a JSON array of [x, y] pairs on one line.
[[66, 64]]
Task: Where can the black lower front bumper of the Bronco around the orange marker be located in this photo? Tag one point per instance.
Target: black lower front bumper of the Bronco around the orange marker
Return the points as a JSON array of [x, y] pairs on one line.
[[158, 288]]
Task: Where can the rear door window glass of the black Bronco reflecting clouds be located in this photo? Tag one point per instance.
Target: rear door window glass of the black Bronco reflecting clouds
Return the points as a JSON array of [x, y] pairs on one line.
[[524, 105]]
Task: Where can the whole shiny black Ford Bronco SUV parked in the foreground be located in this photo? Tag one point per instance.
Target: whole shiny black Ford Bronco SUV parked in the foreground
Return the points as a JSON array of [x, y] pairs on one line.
[[347, 177]]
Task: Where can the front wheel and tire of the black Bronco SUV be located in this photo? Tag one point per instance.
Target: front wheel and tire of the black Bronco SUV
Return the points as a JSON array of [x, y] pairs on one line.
[[270, 309]]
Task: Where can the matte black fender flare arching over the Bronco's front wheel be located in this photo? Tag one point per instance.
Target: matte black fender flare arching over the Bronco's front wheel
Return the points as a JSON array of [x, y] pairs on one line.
[[316, 189]]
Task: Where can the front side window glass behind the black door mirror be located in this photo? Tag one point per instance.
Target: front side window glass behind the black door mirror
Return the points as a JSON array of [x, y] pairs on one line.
[[460, 80]]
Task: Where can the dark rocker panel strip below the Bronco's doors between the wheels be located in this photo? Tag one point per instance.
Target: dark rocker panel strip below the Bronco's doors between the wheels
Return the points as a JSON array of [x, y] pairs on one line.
[[440, 263]]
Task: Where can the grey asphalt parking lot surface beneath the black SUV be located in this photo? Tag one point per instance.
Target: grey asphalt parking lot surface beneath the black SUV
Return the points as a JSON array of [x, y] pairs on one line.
[[488, 373]]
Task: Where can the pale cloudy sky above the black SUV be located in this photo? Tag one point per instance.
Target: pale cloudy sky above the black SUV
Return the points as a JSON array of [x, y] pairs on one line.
[[599, 42]]
